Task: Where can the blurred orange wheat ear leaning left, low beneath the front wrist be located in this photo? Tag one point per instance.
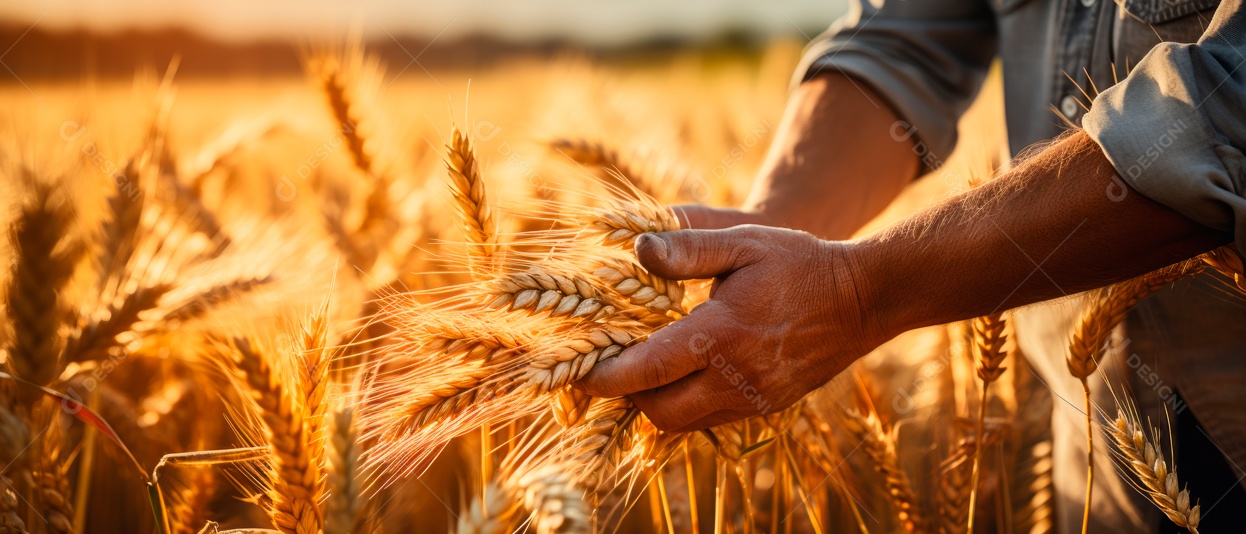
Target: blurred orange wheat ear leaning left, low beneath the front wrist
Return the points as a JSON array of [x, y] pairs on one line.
[[882, 450]]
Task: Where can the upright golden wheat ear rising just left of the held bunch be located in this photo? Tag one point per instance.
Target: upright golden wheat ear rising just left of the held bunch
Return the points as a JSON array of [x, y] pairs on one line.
[[468, 187]]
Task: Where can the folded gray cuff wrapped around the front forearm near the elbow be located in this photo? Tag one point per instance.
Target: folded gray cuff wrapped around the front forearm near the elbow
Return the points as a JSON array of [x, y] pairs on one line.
[[1156, 133]]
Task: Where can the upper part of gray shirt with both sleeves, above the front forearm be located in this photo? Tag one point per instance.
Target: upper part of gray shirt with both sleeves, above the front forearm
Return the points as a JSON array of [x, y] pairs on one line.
[[1174, 128]]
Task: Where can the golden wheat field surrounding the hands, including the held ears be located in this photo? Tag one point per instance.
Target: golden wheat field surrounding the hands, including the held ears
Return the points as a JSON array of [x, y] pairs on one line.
[[354, 302]]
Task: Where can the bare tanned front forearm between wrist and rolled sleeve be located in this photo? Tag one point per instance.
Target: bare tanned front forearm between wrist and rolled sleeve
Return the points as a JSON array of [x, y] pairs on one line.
[[1060, 223]]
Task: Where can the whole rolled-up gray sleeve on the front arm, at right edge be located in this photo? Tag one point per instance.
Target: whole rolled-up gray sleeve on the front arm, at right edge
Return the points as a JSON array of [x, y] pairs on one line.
[[1176, 128]]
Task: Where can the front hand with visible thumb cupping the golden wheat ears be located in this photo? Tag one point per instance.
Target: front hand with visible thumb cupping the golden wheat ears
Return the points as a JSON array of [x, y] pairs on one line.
[[784, 317]]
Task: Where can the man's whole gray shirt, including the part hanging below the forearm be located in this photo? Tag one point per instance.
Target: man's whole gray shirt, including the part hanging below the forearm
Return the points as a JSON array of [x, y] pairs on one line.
[[1174, 128]]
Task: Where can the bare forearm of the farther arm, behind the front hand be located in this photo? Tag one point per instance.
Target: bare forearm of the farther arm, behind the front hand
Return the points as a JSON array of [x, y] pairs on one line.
[[835, 162]]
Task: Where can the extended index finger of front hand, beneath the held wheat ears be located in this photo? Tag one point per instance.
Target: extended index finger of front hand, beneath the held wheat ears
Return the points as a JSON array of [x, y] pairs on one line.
[[671, 354]]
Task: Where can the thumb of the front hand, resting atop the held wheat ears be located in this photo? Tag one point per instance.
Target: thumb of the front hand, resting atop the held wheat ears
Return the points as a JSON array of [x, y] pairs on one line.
[[697, 255]]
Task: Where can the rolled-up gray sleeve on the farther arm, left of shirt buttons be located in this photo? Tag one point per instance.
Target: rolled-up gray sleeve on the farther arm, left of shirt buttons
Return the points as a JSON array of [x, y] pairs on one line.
[[926, 58]]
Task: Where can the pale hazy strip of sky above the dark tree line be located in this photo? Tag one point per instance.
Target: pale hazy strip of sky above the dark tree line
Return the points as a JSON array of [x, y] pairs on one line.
[[595, 22]]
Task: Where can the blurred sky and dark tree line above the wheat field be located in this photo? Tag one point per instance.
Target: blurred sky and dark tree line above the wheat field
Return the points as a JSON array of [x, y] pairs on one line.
[[68, 39]]
